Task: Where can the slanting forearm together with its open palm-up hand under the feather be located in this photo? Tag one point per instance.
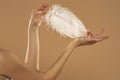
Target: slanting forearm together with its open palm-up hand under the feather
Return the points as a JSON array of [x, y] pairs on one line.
[[56, 69]]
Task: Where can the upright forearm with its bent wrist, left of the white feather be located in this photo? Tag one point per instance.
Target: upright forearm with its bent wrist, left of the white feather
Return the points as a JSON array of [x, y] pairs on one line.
[[32, 53]]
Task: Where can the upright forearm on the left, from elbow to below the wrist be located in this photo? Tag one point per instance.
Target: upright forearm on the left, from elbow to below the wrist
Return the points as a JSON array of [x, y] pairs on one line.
[[32, 53]]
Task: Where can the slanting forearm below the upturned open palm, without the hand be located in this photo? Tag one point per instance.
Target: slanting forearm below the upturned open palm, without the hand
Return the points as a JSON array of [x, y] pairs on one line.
[[56, 69]]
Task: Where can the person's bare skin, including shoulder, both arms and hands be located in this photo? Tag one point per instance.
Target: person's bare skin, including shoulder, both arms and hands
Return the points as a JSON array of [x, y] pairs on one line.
[[11, 66]]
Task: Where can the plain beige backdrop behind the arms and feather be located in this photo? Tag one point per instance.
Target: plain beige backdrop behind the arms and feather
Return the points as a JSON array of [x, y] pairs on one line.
[[98, 62]]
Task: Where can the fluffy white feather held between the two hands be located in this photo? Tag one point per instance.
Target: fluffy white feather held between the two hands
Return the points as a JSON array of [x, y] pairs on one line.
[[65, 22]]
